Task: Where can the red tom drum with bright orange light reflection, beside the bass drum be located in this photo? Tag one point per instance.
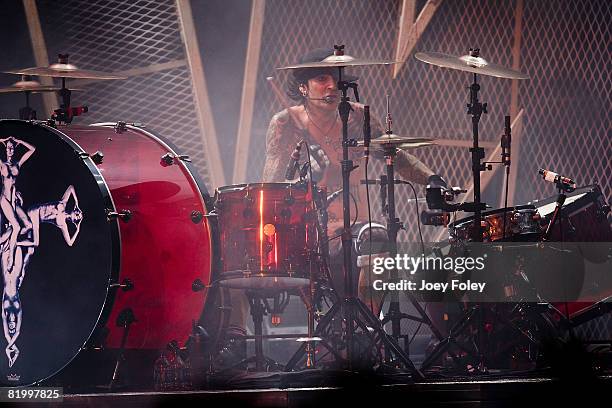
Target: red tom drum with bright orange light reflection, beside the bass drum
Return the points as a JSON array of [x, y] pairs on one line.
[[267, 233]]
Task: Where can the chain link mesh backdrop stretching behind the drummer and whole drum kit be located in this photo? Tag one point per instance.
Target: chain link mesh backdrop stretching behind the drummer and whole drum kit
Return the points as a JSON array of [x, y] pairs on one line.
[[564, 48]]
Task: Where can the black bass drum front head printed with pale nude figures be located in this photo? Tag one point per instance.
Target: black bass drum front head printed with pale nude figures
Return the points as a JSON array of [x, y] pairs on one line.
[[56, 268]]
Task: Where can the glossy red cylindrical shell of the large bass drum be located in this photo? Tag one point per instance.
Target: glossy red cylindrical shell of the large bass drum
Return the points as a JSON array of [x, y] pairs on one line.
[[165, 246]]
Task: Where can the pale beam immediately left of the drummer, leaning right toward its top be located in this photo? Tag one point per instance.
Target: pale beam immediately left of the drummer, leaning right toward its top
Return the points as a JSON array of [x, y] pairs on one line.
[[249, 87]]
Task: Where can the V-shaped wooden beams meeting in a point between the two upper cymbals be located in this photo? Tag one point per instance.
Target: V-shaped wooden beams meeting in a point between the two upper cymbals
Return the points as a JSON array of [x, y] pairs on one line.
[[409, 32]]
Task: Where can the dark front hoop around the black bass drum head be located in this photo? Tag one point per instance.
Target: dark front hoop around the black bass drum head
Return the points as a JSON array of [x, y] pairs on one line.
[[109, 204]]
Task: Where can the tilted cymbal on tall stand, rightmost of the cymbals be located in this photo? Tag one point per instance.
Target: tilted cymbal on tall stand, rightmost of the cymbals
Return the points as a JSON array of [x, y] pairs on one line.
[[477, 65]]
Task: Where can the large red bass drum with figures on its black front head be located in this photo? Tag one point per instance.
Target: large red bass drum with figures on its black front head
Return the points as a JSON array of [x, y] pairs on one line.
[[100, 224]]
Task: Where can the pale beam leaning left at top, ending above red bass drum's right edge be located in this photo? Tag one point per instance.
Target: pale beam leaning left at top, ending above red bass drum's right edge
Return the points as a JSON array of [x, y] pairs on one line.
[[200, 90]]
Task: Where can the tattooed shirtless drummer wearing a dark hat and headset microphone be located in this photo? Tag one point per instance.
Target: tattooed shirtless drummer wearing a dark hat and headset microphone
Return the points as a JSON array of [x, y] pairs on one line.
[[314, 118]]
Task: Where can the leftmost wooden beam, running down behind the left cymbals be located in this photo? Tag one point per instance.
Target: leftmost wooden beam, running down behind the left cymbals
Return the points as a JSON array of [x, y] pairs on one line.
[[40, 52]]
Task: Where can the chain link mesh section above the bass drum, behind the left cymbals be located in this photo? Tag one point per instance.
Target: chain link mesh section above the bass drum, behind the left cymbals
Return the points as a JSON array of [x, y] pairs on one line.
[[116, 36]]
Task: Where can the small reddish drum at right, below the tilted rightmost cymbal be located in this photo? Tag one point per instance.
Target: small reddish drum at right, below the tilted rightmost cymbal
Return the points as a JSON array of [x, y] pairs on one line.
[[522, 224]]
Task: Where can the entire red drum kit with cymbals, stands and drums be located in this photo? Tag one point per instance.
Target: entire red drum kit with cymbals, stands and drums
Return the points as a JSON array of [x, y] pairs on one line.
[[145, 256]]
